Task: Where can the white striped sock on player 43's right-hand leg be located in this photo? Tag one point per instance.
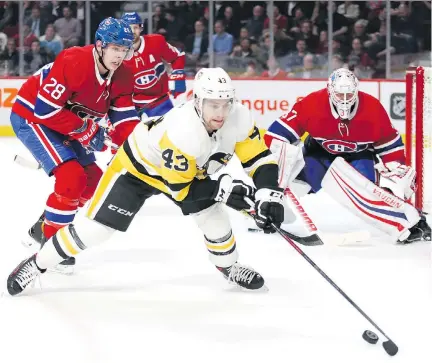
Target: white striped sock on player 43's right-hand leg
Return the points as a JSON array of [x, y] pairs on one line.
[[219, 239]]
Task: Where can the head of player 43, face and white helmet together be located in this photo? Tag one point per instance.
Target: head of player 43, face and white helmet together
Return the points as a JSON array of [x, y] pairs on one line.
[[214, 96]]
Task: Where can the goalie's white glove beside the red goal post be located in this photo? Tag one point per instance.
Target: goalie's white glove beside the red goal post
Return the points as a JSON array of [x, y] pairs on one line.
[[399, 179]]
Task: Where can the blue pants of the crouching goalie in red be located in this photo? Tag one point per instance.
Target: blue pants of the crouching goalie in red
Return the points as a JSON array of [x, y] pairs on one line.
[[318, 161]]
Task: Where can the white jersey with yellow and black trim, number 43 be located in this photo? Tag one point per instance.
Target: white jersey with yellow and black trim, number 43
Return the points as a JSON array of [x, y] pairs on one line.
[[174, 151]]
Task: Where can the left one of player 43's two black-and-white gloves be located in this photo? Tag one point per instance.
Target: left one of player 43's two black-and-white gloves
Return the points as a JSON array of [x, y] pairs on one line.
[[233, 192]]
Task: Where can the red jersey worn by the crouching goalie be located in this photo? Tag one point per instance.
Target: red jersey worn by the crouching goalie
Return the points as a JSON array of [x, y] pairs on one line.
[[369, 129]]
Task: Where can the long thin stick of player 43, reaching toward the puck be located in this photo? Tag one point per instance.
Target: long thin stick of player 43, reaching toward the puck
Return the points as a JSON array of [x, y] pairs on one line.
[[389, 346]]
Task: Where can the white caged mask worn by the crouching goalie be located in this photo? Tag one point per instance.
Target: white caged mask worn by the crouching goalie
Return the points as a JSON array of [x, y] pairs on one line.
[[342, 87]]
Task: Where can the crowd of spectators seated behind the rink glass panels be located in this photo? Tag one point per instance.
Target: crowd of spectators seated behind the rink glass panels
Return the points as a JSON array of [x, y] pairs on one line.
[[241, 36]]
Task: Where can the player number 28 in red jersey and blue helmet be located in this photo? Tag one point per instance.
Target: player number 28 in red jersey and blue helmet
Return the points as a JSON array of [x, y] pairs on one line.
[[56, 116]]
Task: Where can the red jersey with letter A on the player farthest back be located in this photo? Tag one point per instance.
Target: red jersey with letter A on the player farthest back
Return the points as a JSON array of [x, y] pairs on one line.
[[150, 75]]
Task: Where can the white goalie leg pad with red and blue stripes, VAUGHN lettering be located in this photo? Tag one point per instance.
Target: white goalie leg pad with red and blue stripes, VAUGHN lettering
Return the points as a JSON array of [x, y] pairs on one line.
[[368, 201]]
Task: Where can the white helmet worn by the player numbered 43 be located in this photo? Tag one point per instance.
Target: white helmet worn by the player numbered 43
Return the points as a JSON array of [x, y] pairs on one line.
[[212, 83]]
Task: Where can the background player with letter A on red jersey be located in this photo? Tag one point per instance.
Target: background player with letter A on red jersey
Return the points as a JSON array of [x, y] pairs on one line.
[[152, 84]]
